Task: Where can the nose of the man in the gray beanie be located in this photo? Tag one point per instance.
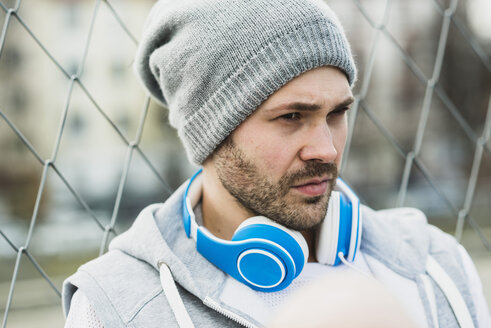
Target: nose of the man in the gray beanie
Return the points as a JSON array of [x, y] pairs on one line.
[[319, 145]]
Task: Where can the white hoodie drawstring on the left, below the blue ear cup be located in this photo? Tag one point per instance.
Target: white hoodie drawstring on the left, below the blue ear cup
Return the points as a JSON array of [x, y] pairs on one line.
[[172, 294]]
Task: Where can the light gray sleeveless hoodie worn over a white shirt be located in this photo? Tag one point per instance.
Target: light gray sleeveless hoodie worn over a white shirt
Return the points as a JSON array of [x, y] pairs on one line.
[[124, 289]]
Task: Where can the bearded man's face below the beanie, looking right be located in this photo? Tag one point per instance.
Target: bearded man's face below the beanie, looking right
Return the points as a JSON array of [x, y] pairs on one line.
[[282, 161]]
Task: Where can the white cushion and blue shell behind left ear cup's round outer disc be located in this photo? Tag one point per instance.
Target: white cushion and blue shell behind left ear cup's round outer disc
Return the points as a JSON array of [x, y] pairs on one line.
[[291, 241]]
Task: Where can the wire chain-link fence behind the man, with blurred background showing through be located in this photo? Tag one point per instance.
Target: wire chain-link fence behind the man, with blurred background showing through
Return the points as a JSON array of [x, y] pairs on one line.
[[83, 149]]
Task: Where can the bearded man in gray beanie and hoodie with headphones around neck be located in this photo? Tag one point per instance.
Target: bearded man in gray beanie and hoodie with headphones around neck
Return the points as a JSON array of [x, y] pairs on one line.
[[258, 91]]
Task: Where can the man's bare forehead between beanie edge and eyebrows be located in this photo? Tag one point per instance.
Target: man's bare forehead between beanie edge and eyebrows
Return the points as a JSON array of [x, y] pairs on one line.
[[324, 86]]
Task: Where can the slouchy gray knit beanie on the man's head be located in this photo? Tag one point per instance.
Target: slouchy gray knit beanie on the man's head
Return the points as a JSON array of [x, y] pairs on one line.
[[213, 62]]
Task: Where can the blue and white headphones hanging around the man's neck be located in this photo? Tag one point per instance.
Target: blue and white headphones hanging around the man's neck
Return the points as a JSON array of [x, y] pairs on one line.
[[267, 256]]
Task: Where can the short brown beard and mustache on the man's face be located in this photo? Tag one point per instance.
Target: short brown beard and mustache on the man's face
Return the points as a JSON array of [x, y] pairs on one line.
[[261, 196]]
